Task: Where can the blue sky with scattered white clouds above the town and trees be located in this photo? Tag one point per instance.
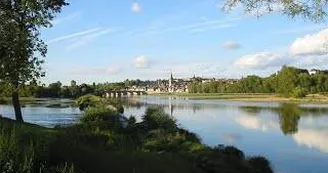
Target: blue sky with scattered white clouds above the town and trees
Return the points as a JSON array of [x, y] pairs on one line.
[[110, 41]]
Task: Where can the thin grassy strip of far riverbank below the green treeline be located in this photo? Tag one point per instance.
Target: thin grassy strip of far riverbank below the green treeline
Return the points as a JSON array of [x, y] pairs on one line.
[[256, 97]]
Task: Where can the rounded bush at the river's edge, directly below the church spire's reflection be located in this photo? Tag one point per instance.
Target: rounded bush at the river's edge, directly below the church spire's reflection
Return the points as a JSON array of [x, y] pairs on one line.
[[156, 118]]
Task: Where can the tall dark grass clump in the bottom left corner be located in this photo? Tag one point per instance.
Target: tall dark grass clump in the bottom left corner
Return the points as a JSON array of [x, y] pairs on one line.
[[17, 157]]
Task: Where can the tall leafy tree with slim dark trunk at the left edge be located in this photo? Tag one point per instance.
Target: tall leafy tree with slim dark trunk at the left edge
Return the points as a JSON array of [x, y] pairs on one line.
[[21, 48]]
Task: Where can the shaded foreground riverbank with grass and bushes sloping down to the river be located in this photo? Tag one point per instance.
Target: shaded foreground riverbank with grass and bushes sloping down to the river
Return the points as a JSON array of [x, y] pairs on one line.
[[104, 141]]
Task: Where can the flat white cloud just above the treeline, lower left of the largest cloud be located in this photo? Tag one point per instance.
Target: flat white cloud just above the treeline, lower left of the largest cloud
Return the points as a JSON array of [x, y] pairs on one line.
[[260, 61]]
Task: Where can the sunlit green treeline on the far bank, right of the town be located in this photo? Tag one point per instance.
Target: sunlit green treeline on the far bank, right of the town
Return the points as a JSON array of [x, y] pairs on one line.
[[288, 82]]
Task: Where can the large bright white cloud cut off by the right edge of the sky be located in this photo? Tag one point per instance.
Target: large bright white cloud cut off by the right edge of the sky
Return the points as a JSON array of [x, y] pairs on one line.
[[312, 44]]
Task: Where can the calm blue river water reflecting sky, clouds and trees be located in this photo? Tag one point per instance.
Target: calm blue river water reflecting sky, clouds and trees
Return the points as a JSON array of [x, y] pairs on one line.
[[293, 137]]
